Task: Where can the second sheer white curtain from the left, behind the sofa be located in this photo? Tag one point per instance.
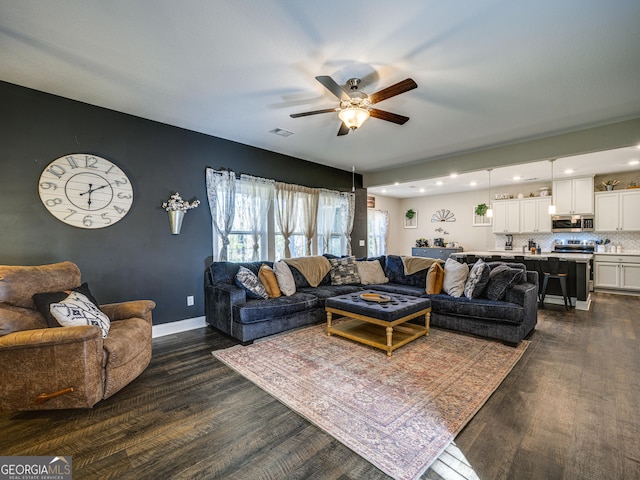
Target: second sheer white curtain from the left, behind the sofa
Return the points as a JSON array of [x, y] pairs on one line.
[[260, 193]]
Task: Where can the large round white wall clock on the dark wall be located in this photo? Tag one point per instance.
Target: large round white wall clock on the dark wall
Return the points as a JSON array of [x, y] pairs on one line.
[[85, 191]]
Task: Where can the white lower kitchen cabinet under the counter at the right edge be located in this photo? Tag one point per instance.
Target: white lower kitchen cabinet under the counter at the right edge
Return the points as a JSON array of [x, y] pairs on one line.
[[617, 272]]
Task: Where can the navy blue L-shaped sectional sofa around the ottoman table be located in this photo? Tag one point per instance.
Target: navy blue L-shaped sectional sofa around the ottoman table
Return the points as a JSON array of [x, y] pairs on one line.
[[228, 309]]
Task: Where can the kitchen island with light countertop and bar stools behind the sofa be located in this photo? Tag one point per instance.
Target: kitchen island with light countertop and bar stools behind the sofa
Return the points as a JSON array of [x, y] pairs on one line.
[[578, 280]]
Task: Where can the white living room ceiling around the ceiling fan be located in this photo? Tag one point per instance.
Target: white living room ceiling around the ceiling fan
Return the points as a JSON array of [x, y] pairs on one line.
[[489, 72]]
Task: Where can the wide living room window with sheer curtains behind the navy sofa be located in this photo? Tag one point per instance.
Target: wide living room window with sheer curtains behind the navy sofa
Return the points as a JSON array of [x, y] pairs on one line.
[[255, 215]]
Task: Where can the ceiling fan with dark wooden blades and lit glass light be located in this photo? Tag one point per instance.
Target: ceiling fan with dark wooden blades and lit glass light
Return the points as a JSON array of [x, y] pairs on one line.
[[355, 105]]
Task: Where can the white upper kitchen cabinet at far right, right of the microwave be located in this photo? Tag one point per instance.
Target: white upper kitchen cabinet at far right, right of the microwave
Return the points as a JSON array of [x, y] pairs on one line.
[[618, 211]]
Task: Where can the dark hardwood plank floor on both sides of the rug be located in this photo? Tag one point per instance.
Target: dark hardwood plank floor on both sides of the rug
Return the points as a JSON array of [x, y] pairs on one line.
[[568, 410]]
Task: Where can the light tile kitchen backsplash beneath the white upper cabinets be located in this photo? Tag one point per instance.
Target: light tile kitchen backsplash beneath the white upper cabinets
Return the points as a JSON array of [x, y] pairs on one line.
[[628, 240]]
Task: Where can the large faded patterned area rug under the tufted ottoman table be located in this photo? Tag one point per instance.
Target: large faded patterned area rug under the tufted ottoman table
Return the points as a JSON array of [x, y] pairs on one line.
[[398, 412]]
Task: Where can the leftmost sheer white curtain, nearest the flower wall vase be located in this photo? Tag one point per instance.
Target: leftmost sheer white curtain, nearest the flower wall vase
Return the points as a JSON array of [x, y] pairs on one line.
[[221, 192]]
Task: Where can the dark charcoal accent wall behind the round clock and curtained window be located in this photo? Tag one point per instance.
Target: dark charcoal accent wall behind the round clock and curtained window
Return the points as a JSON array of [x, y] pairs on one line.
[[137, 258]]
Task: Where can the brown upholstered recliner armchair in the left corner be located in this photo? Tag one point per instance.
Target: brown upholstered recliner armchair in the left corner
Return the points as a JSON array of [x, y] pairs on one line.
[[45, 368]]
